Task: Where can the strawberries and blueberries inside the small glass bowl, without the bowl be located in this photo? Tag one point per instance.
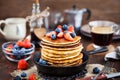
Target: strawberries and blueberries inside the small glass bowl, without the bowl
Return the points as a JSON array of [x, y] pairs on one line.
[[18, 49]]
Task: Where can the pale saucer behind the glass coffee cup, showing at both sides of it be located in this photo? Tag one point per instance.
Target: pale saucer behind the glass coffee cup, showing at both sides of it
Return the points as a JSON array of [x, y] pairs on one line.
[[85, 30]]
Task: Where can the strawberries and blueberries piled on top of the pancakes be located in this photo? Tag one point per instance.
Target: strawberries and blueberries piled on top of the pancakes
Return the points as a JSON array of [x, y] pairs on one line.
[[64, 31]]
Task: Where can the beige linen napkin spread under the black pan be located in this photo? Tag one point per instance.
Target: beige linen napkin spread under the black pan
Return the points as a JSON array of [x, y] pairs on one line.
[[33, 69]]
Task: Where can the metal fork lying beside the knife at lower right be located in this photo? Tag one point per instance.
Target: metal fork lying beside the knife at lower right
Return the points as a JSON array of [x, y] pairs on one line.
[[105, 70]]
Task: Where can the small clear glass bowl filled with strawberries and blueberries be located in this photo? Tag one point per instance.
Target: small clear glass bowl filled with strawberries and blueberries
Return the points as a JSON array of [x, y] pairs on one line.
[[14, 51]]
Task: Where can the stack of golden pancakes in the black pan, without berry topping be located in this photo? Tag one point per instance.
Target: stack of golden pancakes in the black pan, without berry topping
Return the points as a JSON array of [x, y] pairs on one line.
[[61, 52]]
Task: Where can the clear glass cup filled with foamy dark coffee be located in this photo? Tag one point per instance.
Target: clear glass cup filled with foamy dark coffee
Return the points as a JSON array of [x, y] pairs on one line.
[[102, 32]]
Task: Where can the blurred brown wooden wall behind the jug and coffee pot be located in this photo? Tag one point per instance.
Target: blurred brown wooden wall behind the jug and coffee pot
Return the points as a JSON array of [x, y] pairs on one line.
[[101, 9]]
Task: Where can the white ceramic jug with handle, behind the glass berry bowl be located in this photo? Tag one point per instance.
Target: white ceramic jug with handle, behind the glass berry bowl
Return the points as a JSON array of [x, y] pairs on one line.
[[14, 29]]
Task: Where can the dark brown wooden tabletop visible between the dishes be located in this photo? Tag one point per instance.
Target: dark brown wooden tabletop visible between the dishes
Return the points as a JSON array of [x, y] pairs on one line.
[[6, 66]]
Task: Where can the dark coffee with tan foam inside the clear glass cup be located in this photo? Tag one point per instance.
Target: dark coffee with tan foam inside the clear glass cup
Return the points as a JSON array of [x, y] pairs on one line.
[[102, 35]]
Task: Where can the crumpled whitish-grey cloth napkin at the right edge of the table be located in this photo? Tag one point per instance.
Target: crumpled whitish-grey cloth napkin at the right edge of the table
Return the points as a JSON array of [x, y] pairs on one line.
[[113, 55]]
